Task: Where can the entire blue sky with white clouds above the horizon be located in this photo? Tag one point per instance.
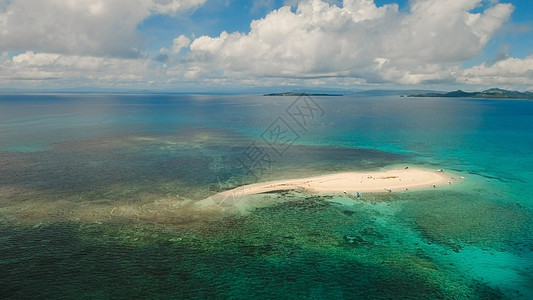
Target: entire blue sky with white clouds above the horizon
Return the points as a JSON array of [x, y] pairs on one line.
[[206, 45]]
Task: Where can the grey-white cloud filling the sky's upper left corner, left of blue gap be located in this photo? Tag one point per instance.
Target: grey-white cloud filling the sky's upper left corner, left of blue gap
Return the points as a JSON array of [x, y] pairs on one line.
[[80, 27]]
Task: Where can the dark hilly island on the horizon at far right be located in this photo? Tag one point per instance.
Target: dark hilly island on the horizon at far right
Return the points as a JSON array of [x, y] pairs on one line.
[[494, 93]]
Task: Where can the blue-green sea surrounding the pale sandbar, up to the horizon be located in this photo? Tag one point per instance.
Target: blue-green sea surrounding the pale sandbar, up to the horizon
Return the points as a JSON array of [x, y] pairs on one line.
[[96, 193]]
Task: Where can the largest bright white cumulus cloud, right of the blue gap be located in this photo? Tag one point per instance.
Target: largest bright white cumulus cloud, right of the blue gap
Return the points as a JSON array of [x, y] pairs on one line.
[[358, 40]]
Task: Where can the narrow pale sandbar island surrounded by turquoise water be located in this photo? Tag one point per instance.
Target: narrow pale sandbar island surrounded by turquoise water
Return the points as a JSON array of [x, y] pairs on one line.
[[344, 183]]
